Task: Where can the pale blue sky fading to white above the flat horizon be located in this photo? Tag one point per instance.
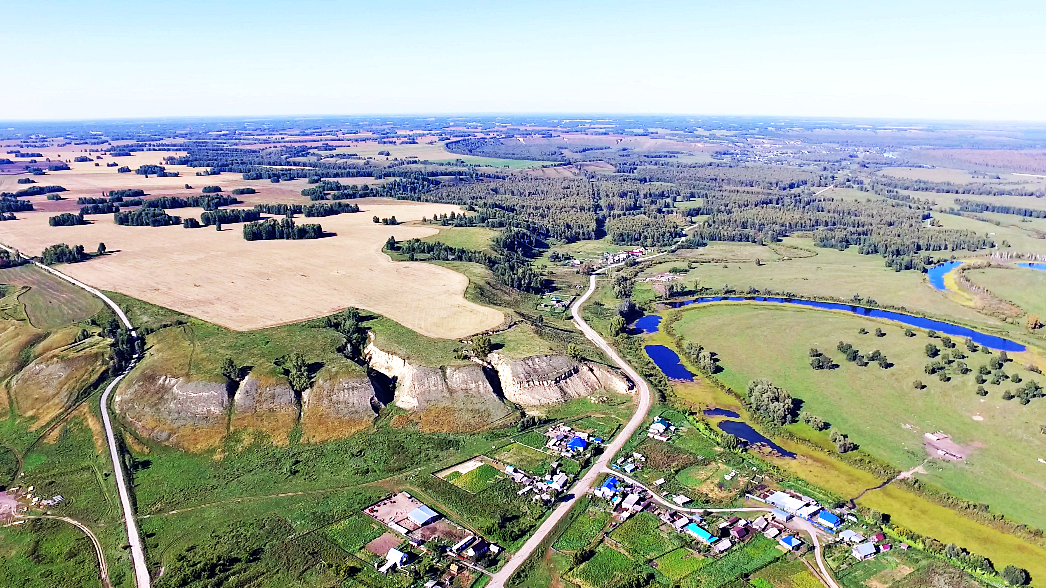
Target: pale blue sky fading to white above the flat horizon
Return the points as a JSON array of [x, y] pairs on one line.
[[914, 60]]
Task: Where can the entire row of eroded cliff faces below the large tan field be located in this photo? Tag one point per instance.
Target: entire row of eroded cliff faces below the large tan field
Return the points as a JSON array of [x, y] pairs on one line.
[[198, 415]]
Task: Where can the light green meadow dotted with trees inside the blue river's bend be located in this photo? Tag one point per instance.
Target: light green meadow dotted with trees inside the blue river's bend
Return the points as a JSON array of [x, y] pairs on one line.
[[879, 409]]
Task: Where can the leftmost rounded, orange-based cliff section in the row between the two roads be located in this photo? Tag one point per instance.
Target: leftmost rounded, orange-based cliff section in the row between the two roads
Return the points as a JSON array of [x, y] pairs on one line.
[[189, 415]]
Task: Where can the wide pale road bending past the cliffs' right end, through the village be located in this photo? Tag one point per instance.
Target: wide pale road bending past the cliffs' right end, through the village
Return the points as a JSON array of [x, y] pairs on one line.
[[588, 481]]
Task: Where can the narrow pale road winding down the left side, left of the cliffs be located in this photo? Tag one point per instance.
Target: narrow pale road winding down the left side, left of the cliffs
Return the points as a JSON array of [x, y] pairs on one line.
[[143, 579]]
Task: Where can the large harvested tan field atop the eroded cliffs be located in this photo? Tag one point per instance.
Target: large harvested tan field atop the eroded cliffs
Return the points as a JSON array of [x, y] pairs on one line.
[[222, 279]]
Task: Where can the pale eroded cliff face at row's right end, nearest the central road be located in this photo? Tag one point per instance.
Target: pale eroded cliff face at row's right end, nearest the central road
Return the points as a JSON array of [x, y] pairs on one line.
[[541, 380]]
